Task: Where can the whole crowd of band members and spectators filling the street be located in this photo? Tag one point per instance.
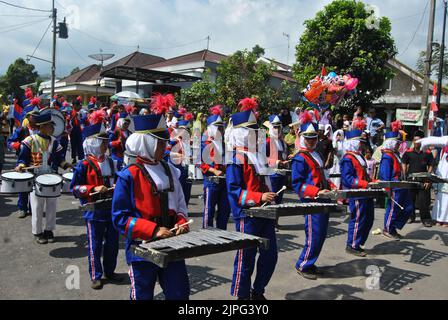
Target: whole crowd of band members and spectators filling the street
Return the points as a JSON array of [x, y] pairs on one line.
[[142, 160]]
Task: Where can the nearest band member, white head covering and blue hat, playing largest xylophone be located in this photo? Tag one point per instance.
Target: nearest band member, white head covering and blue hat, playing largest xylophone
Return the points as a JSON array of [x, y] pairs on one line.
[[148, 201]]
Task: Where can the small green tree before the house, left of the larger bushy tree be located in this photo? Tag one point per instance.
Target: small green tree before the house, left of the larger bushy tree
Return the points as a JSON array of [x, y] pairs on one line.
[[200, 97]]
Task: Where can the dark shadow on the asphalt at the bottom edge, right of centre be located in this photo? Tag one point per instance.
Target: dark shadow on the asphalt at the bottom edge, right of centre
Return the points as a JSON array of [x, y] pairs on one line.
[[326, 292]]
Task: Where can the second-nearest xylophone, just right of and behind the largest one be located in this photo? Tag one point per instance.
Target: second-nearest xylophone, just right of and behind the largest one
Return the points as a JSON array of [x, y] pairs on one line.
[[293, 209]]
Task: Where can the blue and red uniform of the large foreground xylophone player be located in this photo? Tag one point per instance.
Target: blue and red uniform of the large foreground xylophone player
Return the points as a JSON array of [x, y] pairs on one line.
[[137, 211]]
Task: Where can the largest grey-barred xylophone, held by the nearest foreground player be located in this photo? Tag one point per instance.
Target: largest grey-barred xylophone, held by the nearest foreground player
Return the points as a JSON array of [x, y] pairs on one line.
[[196, 244]]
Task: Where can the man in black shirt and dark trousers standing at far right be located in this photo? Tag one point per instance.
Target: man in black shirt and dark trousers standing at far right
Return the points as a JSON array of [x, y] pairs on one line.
[[417, 161]]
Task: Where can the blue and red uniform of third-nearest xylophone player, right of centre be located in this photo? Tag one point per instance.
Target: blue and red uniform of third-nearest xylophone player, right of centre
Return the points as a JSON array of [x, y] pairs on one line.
[[308, 179]]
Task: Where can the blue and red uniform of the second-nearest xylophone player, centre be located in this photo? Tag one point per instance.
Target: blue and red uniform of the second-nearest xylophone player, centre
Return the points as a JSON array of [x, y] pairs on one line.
[[245, 189]]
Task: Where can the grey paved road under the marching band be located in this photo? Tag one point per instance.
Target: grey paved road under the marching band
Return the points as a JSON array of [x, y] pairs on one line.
[[414, 268]]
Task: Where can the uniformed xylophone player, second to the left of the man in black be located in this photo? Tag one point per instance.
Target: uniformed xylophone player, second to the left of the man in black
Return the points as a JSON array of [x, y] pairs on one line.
[[354, 176]]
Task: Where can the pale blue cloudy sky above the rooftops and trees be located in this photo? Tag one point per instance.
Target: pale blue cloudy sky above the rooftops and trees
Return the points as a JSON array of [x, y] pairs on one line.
[[169, 28]]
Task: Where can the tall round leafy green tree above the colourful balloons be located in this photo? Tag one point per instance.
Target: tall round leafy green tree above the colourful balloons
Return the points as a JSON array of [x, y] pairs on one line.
[[346, 38]]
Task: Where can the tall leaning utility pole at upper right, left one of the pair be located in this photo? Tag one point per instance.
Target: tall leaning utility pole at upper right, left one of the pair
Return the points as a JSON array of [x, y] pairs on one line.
[[425, 91]]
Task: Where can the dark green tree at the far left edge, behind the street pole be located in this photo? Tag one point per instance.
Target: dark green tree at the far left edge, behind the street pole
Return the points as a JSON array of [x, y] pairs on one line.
[[18, 74]]
